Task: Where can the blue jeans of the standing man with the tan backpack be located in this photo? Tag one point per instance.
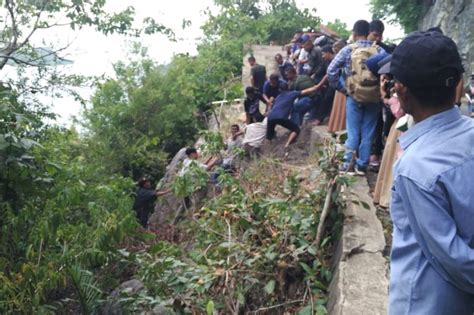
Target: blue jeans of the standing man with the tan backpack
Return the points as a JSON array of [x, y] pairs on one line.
[[361, 122]]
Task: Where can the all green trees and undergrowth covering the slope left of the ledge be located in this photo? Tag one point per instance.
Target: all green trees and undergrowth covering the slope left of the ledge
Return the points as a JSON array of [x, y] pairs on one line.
[[68, 236]]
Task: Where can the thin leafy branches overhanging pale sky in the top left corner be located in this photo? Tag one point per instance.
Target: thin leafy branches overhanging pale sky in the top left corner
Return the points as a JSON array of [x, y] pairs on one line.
[[22, 20]]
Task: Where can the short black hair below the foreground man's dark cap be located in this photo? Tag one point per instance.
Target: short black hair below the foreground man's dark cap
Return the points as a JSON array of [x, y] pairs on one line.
[[435, 96]]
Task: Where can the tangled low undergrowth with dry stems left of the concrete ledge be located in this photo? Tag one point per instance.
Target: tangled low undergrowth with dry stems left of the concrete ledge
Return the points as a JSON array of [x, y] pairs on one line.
[[249, 248]]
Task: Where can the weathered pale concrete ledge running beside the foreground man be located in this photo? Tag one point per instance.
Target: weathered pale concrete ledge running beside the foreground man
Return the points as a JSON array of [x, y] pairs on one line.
[[360, 283]]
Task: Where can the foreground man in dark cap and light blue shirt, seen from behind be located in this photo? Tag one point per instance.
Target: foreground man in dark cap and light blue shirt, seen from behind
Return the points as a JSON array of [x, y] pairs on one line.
[[432, 206]]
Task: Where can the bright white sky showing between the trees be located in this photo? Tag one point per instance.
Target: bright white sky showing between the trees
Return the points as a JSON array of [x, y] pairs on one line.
[[94, 53]]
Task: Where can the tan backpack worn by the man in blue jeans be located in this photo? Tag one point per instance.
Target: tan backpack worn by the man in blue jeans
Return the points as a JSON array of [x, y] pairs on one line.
[[362, 84]]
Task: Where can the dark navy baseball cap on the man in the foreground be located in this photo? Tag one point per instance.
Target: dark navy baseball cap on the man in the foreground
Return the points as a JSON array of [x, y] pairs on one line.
[[427, 59]]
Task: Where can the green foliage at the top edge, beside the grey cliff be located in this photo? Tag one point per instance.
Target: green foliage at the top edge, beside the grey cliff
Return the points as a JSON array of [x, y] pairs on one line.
[[405, 12]]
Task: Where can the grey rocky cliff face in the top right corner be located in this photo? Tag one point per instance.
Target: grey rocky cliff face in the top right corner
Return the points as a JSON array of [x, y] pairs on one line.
[[456, 19]]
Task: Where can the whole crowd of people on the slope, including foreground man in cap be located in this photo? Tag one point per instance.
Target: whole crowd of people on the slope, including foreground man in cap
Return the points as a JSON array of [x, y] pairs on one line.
[[398, 107]]
